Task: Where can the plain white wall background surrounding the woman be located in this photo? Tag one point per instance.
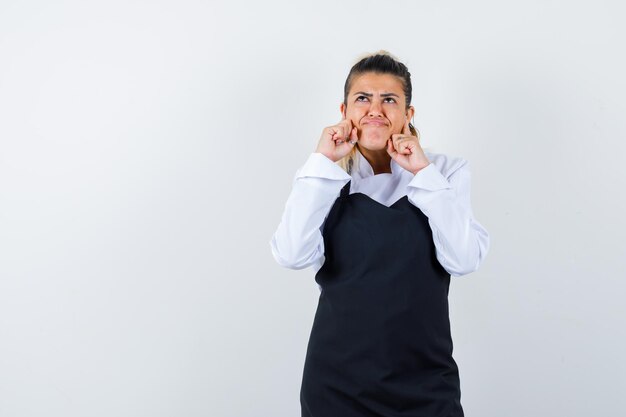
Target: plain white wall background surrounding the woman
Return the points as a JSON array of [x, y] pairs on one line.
[[147, 149]]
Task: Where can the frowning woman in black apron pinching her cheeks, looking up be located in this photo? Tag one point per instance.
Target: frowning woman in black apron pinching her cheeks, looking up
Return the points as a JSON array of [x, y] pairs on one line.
[[385, 225]]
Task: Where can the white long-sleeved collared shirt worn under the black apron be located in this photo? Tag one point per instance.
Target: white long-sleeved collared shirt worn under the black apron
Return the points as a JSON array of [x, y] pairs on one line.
[[441, 191]]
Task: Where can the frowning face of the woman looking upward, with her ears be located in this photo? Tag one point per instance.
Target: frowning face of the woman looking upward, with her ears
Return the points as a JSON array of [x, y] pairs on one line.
[[376, 106]]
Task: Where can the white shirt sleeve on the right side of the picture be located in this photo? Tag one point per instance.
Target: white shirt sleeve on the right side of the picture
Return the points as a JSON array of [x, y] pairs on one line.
[[460, 241]]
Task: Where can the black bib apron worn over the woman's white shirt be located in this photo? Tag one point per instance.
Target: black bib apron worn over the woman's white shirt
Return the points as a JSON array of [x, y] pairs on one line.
[[380, 345]]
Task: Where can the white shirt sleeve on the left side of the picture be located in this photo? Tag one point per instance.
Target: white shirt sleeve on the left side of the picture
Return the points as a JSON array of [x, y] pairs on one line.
[[297, 242]]
